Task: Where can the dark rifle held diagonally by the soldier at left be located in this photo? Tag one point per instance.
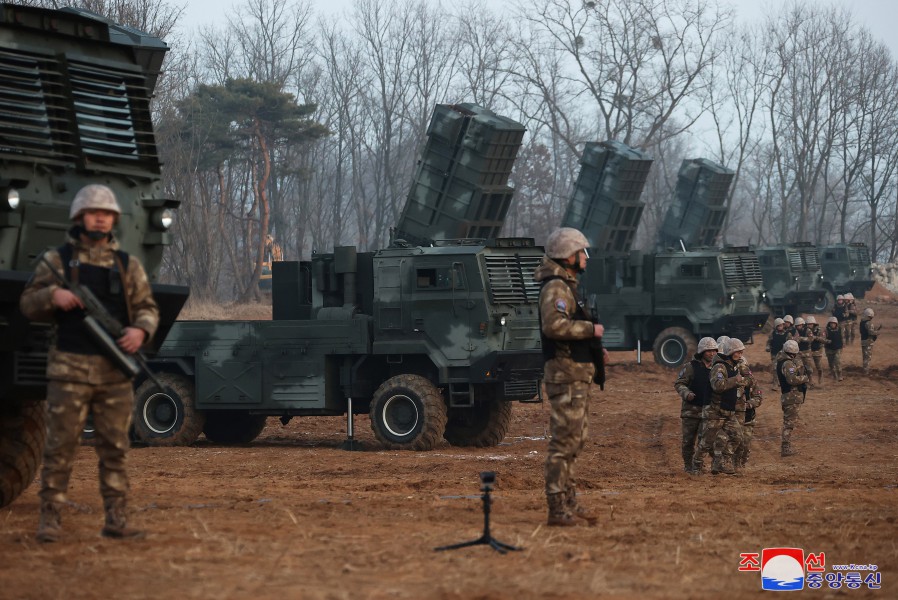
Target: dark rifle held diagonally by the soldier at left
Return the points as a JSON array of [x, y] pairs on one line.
[[105, 329]]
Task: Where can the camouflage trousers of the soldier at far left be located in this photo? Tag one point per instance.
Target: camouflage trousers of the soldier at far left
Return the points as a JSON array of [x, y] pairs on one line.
[[68, 404]]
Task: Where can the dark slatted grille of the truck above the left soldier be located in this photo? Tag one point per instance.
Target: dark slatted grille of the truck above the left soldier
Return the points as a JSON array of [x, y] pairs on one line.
[[105, 112]]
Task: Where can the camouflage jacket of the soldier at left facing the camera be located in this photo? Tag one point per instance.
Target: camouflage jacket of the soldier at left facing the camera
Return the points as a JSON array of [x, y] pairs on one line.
[[36, 304]]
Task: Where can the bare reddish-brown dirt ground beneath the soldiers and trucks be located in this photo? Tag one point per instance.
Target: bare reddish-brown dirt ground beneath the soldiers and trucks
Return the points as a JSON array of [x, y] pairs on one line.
[[293, 516]]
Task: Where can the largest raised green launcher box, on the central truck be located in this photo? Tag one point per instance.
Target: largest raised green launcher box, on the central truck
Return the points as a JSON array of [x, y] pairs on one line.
[[460, 189]]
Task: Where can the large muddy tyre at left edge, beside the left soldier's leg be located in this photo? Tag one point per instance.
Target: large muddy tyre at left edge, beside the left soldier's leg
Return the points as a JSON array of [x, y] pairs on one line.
[[23, 431]]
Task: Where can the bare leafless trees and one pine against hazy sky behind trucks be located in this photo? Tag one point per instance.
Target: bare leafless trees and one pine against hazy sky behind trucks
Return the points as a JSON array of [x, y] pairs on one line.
[[308, 127]]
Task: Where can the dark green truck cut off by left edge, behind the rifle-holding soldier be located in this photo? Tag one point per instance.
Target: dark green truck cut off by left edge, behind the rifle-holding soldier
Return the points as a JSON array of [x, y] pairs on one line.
[[74, 109]]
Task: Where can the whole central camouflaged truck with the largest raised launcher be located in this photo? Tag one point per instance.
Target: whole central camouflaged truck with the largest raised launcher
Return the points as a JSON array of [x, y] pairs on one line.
[[431, 337]]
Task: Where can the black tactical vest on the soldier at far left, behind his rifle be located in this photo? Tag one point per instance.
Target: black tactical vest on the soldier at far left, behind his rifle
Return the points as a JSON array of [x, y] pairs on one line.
[[106, 284]]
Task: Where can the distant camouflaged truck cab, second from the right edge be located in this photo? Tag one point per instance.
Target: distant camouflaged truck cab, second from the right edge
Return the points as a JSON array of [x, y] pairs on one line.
[[792, 278]]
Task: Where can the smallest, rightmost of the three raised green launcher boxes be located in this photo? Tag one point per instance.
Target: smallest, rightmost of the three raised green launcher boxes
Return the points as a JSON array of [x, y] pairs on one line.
[[697, 213]]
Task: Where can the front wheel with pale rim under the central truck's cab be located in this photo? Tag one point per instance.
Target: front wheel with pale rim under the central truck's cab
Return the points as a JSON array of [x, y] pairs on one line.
[[408, 413]]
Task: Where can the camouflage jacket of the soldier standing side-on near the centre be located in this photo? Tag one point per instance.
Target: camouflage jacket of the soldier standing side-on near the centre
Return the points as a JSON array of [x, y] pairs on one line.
[[557, 310]]
